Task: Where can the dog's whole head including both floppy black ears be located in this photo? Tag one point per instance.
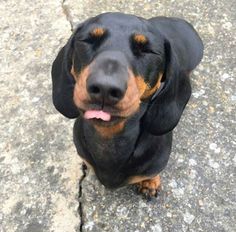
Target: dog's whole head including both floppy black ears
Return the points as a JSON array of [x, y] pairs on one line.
[[111, 64]]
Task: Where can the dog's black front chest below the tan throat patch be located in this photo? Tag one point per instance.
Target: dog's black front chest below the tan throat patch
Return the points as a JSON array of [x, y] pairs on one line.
[[109, 157]]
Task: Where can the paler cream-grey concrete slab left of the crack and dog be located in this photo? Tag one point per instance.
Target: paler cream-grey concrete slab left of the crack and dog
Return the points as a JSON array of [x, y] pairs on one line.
[[39, 169]]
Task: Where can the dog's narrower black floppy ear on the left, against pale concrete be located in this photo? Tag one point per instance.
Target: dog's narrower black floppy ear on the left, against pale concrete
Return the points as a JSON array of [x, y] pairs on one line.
[[63, 82]]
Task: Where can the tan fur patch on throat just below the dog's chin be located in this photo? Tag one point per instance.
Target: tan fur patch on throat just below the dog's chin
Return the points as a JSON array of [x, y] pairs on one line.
[[109, 132]]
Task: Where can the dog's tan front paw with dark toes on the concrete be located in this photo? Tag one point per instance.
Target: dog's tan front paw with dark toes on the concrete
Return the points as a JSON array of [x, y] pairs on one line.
[[150, 188]]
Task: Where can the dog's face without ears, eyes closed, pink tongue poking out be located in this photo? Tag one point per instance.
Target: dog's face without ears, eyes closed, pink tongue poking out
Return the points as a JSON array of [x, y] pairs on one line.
[[117, 62]]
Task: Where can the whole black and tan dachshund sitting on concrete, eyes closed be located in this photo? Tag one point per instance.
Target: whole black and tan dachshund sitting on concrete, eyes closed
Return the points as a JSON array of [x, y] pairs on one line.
[[126, 80]]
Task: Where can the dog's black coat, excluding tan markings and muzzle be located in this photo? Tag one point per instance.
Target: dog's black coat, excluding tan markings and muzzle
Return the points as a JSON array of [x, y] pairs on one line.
[[144, 146]]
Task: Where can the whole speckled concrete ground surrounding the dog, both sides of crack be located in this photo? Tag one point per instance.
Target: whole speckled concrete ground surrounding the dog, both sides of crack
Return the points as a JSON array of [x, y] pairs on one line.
[[39, 169]]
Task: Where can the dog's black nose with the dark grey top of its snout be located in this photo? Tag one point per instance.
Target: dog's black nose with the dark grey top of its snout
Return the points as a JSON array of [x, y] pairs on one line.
[[107, 82]]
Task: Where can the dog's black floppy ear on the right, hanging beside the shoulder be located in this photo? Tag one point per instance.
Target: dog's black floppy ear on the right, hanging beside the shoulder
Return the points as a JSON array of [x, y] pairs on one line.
[[165, 109]]
